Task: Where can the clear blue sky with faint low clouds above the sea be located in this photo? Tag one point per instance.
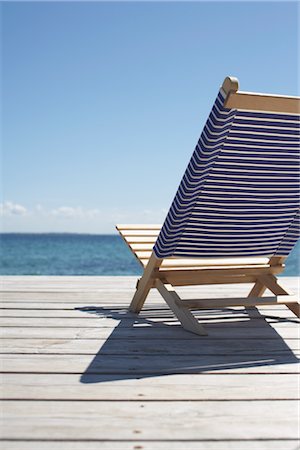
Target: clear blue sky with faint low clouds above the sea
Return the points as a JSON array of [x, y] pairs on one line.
[[103, 102]]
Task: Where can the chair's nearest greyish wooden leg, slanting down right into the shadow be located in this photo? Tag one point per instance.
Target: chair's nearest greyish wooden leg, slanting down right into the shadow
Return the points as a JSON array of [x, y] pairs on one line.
[[183, 314]]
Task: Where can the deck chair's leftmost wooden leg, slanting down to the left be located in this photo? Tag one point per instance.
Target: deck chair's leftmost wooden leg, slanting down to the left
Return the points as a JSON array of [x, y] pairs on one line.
[[144, 285]]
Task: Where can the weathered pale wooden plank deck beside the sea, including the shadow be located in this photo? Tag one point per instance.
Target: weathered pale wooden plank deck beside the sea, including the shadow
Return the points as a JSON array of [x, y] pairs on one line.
[[80, 373]]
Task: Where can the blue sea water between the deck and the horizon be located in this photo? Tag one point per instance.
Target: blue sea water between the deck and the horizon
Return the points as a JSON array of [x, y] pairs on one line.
[[80, 254]]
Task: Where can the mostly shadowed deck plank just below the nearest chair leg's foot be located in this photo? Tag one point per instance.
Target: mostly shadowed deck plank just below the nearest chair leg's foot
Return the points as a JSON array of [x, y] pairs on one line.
[[55, 346]]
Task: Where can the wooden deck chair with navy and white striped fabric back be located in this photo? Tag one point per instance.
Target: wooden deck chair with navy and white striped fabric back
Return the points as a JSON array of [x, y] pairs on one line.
[[235, 216]]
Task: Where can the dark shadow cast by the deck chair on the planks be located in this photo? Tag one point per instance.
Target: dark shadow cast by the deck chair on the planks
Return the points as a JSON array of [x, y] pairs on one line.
[[151, 344]]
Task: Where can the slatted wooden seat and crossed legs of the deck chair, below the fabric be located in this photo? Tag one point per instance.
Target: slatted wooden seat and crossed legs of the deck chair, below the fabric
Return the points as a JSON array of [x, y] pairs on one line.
[[165, 274]]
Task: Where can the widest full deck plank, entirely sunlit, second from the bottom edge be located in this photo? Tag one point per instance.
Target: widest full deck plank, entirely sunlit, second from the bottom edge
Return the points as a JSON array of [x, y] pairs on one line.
[[97, 419]]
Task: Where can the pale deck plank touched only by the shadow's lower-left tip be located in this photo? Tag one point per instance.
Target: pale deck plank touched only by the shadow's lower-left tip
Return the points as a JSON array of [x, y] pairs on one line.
[[205, 387]]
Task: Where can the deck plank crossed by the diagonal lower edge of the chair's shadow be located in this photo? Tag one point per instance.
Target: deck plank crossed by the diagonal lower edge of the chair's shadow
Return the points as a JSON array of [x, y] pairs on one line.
[[149, 365]]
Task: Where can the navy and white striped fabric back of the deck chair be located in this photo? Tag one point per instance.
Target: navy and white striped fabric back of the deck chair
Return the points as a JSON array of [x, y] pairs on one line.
[[240, 193]]
